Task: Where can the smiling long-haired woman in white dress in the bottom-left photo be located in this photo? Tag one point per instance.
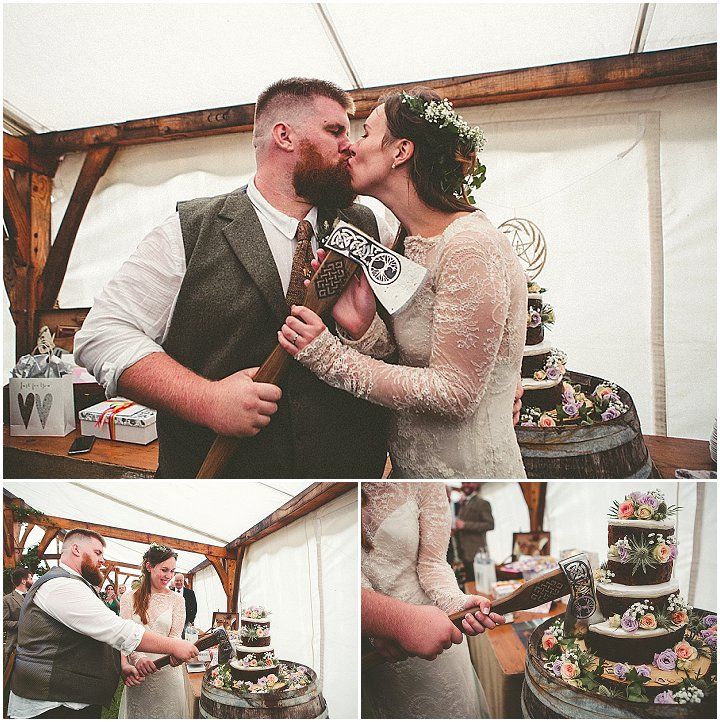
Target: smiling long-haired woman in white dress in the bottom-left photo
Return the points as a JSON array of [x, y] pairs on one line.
[[167, 692]]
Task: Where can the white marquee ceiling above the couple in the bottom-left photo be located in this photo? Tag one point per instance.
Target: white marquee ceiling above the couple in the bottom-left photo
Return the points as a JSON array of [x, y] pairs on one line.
[[211, 512]]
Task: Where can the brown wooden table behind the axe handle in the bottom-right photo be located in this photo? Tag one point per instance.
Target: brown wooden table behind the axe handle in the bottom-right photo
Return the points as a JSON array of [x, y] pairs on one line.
[[498, 657]]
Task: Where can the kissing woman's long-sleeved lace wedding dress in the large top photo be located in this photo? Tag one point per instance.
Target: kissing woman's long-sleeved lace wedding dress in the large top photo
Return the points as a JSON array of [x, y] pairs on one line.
[[460, 344]]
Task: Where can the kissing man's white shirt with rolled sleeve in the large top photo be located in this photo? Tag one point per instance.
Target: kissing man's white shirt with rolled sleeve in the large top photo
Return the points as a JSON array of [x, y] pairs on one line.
[[130, 319]]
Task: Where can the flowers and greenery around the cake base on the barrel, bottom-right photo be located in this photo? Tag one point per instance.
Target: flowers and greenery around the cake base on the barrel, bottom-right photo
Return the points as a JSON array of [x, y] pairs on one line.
[[577, 667]]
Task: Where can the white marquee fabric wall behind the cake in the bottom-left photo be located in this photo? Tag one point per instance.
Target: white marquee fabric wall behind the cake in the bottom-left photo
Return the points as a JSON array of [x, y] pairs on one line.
[[306, 574]]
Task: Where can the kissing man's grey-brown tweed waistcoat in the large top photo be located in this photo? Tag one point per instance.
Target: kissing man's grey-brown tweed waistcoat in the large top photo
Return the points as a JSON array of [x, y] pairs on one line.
[[226, 318]]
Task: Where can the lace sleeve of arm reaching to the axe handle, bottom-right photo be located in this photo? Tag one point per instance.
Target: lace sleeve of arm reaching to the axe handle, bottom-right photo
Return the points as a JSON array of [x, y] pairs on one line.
[[436, 577]]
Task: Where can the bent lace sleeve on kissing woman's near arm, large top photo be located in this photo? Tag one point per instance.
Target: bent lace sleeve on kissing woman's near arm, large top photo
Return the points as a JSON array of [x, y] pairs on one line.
[[469, 316]]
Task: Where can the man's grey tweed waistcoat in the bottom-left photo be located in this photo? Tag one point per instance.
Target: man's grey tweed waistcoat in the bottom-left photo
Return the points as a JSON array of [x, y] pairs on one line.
[[58, 664]]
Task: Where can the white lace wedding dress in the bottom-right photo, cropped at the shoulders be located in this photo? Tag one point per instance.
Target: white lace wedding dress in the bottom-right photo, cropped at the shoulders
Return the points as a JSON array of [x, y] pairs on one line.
[[408, 526]]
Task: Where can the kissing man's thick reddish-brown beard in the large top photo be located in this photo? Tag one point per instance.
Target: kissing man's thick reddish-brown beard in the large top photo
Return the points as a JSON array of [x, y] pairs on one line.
[[325, 185]]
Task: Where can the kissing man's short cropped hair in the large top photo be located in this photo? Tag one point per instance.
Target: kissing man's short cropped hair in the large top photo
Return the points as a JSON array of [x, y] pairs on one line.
[[293, 94]]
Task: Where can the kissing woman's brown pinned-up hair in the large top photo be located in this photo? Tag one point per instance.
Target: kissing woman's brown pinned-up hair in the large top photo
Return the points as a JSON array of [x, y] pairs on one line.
[[442, 159]]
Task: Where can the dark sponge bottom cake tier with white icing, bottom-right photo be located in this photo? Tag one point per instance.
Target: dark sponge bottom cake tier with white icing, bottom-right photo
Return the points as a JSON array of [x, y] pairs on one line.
[[631, 648]]
